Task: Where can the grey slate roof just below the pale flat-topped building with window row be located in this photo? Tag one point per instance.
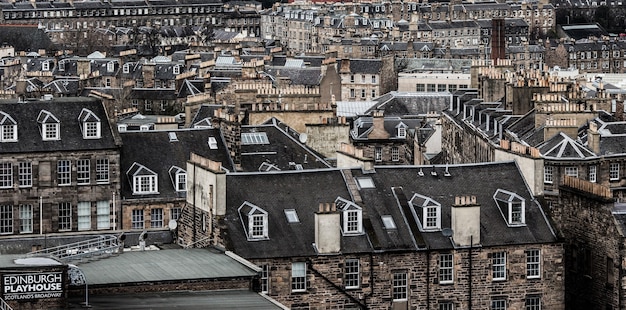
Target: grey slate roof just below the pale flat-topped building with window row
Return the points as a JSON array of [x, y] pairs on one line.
[[411, 103]]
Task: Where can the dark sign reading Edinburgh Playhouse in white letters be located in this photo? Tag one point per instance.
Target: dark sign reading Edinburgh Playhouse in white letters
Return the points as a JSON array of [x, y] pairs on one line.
[[20, 286]]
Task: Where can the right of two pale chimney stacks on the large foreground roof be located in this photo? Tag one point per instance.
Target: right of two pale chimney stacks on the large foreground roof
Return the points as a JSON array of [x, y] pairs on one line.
[[465, 221]]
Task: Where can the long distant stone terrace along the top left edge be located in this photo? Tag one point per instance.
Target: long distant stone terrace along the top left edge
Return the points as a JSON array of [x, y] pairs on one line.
[[69, 23]]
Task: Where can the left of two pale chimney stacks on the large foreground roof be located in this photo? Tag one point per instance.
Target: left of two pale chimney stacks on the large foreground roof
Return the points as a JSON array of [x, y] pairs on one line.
[[327, 229]]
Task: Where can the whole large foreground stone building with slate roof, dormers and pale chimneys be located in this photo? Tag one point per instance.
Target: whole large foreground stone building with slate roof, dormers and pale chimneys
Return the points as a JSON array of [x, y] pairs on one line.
[[381, 237]]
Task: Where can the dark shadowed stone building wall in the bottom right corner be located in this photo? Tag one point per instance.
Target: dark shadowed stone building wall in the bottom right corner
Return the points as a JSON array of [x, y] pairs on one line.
[[594, 245]]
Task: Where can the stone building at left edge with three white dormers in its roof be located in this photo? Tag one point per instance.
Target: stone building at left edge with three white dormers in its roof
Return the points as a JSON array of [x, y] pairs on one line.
[[60, 168]]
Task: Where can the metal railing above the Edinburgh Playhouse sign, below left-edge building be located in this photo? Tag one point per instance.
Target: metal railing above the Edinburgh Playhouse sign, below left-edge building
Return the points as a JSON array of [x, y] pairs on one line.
[[101, 246]]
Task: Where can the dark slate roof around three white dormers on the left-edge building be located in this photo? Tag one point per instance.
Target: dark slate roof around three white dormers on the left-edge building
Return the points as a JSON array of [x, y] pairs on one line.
[[67, 111]]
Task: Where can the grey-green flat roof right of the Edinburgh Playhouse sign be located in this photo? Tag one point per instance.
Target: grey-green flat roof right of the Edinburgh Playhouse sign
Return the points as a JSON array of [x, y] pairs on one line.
[[163, 265]]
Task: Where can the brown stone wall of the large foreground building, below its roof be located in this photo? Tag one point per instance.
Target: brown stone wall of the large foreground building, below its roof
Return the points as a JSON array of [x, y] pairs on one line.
[[469, 289]]
